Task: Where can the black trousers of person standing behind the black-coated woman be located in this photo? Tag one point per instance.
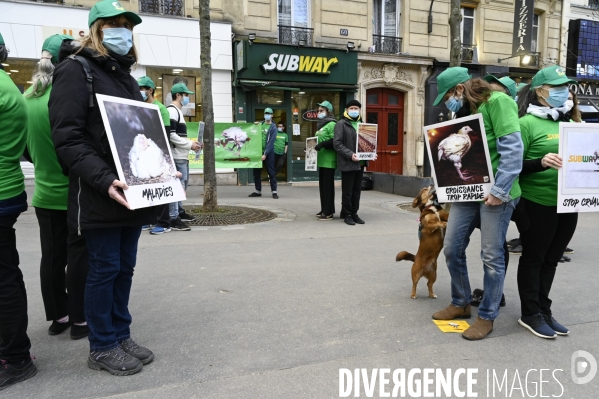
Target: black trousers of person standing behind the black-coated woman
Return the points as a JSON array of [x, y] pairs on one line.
[[59, 249]]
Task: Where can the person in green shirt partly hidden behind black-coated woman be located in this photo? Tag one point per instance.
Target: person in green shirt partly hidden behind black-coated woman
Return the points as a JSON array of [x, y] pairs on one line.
[[63, 294]]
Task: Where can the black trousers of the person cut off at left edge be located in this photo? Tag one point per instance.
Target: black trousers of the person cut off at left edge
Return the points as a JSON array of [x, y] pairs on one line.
[[14, 342]]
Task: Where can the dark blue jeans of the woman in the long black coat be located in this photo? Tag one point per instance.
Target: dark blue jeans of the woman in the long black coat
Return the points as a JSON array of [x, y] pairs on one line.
[[112, 255]]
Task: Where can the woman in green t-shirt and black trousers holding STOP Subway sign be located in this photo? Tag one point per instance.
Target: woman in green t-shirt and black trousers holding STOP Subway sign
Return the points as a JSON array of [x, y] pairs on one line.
[[549, 232]]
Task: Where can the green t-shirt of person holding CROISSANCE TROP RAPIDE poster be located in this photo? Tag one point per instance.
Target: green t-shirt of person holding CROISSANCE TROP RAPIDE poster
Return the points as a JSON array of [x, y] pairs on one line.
[[500, 116]]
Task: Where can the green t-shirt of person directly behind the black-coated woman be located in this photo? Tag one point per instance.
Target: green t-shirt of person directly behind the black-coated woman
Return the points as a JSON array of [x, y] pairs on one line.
[[51, 186]]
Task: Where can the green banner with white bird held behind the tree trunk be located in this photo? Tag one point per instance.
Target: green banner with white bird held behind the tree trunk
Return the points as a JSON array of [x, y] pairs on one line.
[[237, 145]]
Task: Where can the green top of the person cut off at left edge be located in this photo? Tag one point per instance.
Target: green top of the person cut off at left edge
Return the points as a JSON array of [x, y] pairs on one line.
[[13, 133]]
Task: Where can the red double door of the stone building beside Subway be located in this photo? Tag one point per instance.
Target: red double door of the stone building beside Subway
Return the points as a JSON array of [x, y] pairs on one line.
[[385, 108]]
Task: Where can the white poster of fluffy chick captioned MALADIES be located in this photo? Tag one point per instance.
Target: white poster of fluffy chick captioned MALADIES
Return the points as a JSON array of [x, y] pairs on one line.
[[141, 151]]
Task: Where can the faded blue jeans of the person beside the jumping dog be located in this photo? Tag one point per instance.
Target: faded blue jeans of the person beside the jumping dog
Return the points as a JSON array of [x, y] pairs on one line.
[[494, 221]]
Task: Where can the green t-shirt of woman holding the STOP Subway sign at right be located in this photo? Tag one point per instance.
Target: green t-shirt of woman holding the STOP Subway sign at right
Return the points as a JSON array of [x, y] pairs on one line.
[[539, 136]]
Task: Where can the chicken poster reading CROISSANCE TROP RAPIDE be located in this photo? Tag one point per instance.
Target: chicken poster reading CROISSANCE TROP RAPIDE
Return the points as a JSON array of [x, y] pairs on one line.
[[459, 159]]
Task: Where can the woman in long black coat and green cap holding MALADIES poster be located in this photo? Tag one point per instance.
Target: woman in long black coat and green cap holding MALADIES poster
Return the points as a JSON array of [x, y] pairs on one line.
[[97, 208]]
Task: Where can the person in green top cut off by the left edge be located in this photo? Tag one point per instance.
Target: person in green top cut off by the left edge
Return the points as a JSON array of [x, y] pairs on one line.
[[16, 364]]
